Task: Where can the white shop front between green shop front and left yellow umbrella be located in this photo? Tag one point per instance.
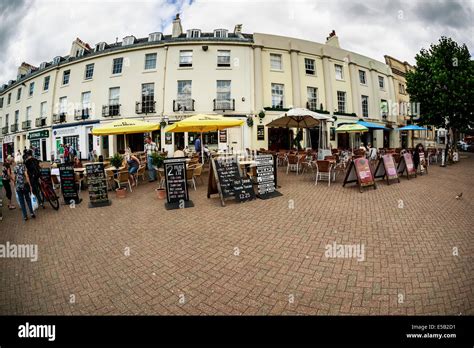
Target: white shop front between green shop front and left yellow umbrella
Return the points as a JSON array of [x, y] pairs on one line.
[[78, 136]]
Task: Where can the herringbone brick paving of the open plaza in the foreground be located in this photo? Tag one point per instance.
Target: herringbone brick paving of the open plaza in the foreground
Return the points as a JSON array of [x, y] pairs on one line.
[[260, 257]]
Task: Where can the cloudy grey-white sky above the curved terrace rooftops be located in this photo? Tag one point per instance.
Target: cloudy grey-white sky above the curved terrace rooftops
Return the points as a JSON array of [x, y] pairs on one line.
[[37, 30]]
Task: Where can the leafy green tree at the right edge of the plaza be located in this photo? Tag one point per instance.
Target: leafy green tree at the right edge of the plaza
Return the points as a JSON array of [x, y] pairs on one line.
[[443, 85]]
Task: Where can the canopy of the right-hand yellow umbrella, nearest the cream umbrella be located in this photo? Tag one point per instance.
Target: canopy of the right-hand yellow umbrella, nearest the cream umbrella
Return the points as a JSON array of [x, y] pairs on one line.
[[204, 123]]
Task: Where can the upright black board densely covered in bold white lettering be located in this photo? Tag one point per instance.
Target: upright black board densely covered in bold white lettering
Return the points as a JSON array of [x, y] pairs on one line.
[[266, 176]]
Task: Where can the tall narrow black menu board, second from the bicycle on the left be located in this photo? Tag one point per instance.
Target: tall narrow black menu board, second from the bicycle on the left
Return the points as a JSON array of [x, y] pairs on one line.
[[97, 182]]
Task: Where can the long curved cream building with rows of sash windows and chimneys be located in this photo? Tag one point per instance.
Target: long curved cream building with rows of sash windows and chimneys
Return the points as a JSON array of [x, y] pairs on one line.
[[165, 78]]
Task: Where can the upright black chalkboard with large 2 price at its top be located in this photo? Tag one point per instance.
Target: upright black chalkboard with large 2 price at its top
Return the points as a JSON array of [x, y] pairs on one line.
[[176, 184]]
